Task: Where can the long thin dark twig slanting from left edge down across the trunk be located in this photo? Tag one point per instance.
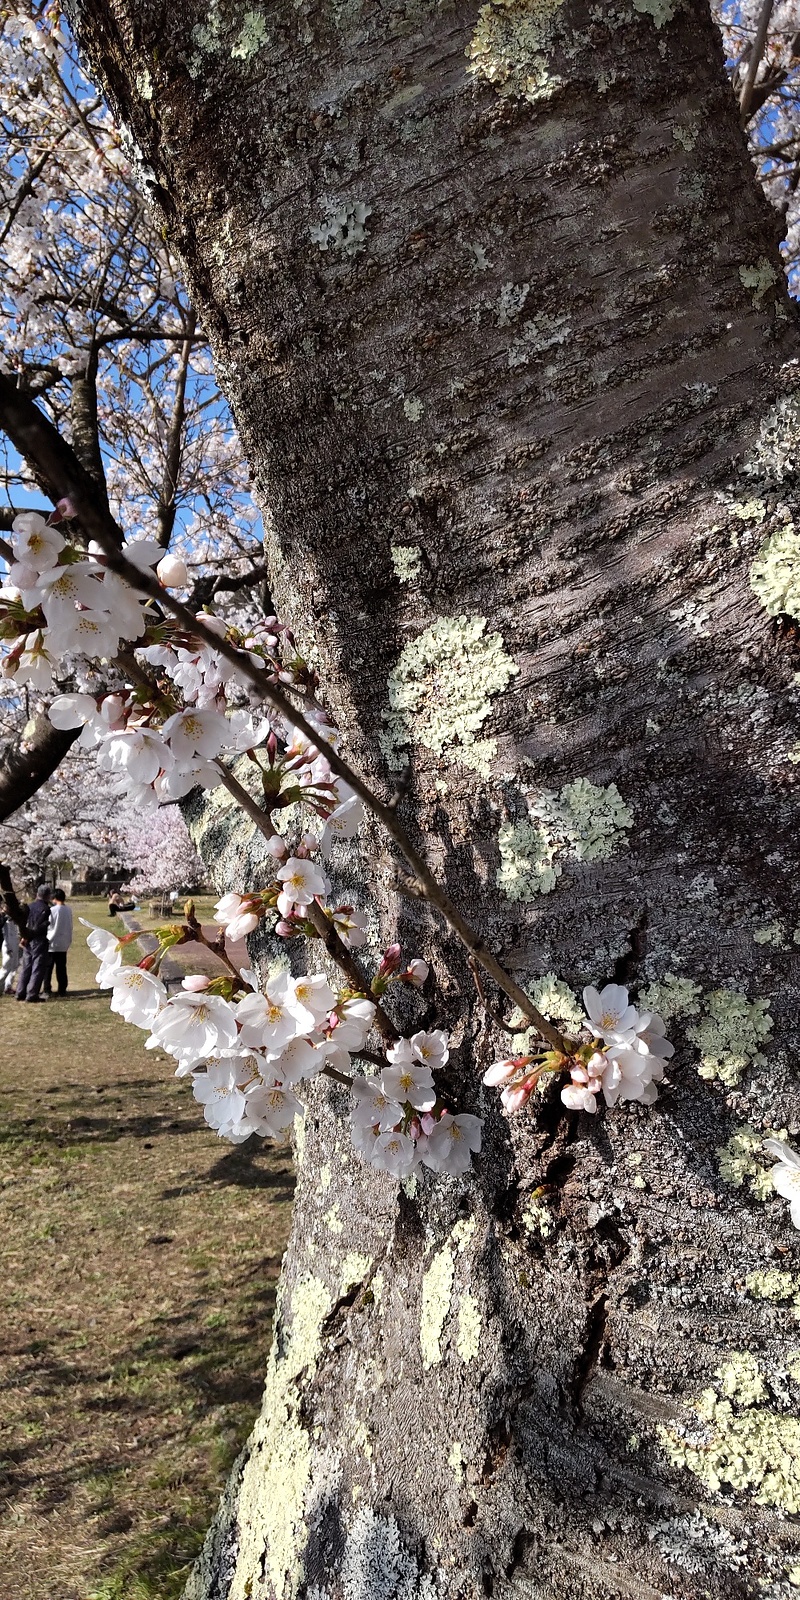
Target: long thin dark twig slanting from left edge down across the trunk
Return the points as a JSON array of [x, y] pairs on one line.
[[36, 439]]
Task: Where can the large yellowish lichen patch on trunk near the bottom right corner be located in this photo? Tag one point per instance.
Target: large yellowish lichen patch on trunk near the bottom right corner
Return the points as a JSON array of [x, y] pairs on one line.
[[742, 1444]]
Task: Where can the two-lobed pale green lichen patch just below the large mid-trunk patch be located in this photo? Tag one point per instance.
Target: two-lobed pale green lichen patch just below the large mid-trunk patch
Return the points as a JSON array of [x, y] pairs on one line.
[[583, 823]]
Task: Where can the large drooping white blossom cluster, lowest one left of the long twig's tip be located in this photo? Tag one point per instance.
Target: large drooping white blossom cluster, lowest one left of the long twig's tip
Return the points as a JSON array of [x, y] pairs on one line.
[[247, 1054]]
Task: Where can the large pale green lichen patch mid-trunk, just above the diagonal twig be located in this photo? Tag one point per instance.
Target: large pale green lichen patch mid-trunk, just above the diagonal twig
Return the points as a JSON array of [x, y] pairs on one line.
[[441, 692]]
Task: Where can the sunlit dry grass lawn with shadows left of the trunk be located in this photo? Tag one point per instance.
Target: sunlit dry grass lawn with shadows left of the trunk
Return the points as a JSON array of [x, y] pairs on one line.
[[138, 1258]]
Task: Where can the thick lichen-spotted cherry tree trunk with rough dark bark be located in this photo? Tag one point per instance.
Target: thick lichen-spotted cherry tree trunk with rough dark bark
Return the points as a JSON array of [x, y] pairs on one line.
[[500, 313]]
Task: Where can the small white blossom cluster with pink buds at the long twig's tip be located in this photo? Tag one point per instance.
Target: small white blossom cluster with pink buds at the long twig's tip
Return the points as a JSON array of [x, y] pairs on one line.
[[622, 1057]]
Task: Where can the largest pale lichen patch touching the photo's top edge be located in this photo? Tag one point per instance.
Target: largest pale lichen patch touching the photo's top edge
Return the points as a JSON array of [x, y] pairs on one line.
[[510, 49]]
